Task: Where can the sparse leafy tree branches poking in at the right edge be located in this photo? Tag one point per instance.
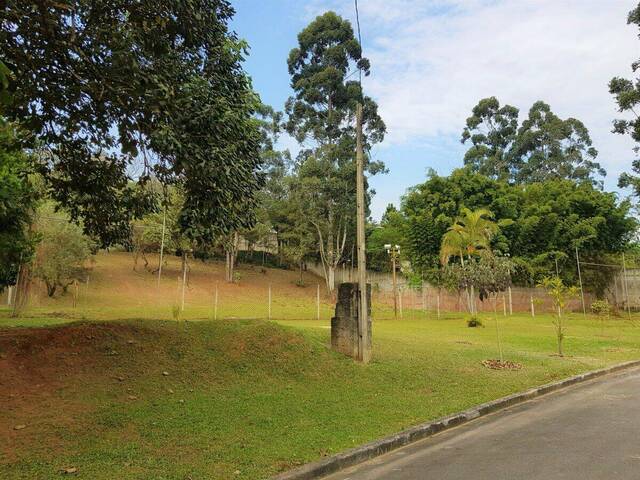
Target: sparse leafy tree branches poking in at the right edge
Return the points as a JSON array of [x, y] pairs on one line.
[[627, 96]]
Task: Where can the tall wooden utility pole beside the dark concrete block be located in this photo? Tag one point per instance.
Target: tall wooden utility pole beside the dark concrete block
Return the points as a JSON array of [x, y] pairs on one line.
[[364, 352]]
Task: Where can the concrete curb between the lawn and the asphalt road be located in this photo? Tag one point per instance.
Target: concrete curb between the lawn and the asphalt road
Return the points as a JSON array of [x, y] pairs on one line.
[[327, 466]]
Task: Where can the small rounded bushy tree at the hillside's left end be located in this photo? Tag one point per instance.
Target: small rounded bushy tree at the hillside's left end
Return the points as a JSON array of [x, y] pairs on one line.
[[61, 252]]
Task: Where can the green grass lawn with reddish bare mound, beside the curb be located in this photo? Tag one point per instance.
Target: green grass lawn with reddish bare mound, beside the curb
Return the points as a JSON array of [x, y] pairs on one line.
[[247, 399]]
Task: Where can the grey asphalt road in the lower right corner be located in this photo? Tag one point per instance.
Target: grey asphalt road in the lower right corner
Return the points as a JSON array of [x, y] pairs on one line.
[[590, 431]]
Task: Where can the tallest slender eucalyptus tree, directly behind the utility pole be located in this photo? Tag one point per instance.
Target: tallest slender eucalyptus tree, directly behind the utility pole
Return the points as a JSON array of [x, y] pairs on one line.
[[321, 117]]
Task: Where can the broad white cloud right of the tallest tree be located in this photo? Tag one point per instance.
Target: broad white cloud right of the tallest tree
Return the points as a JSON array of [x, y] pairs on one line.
[[433, 60]]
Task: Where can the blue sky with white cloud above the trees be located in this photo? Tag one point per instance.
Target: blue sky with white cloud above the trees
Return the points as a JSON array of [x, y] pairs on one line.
[[432, 60]]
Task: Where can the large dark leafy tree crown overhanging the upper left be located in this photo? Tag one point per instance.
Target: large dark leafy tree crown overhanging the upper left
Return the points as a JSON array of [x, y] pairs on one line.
[[122, 89]]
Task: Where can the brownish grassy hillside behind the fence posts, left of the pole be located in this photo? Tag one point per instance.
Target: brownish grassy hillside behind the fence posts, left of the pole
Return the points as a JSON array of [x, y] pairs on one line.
[[115, 291]]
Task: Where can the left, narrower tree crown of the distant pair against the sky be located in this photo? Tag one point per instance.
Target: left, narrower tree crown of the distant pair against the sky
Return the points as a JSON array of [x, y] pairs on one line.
[[491, 129]]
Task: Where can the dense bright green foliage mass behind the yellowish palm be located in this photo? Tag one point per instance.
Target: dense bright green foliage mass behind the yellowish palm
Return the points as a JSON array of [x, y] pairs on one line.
[[537, 223]]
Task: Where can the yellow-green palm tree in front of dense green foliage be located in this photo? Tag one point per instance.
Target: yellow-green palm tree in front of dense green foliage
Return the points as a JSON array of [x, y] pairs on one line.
[[469, 233]]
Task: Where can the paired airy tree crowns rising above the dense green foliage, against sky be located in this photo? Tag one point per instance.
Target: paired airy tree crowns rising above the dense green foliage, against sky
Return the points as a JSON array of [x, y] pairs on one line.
[[544, 147]]
